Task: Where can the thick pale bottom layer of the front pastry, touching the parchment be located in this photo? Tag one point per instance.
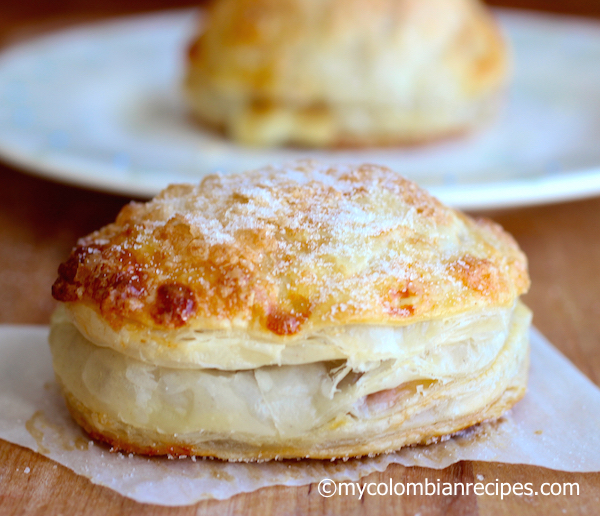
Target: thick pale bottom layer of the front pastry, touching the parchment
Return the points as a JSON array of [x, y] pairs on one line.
[[318, 410]]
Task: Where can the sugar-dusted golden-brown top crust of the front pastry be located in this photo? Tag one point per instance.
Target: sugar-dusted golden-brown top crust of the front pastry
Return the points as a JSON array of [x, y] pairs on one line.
[[287, 250]]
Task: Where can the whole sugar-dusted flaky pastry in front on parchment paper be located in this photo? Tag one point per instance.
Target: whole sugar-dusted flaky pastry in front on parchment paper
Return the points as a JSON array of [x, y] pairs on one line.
[[299, 311]]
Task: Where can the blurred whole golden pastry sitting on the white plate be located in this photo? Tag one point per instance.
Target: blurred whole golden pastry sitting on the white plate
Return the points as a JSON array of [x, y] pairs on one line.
[[346, 72]]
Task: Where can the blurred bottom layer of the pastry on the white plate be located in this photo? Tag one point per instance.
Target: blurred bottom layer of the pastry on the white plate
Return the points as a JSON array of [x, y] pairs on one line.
[[336, 125]]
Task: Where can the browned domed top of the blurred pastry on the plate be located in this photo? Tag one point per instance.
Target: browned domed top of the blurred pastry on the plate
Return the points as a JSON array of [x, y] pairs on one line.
[[374, 51]]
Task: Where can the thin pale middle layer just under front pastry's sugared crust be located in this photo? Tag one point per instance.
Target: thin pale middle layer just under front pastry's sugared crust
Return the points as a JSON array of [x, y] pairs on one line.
[[230, 350]]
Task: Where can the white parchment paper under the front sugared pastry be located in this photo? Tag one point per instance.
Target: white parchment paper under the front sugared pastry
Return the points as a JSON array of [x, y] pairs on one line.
[[556, 425]]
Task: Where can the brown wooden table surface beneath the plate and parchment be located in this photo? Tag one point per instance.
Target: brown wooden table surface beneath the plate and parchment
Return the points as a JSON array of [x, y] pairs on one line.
[[40, 221]]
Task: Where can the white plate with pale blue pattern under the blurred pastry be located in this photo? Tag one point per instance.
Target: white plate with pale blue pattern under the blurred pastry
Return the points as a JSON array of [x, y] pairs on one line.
[[99, 106]]
